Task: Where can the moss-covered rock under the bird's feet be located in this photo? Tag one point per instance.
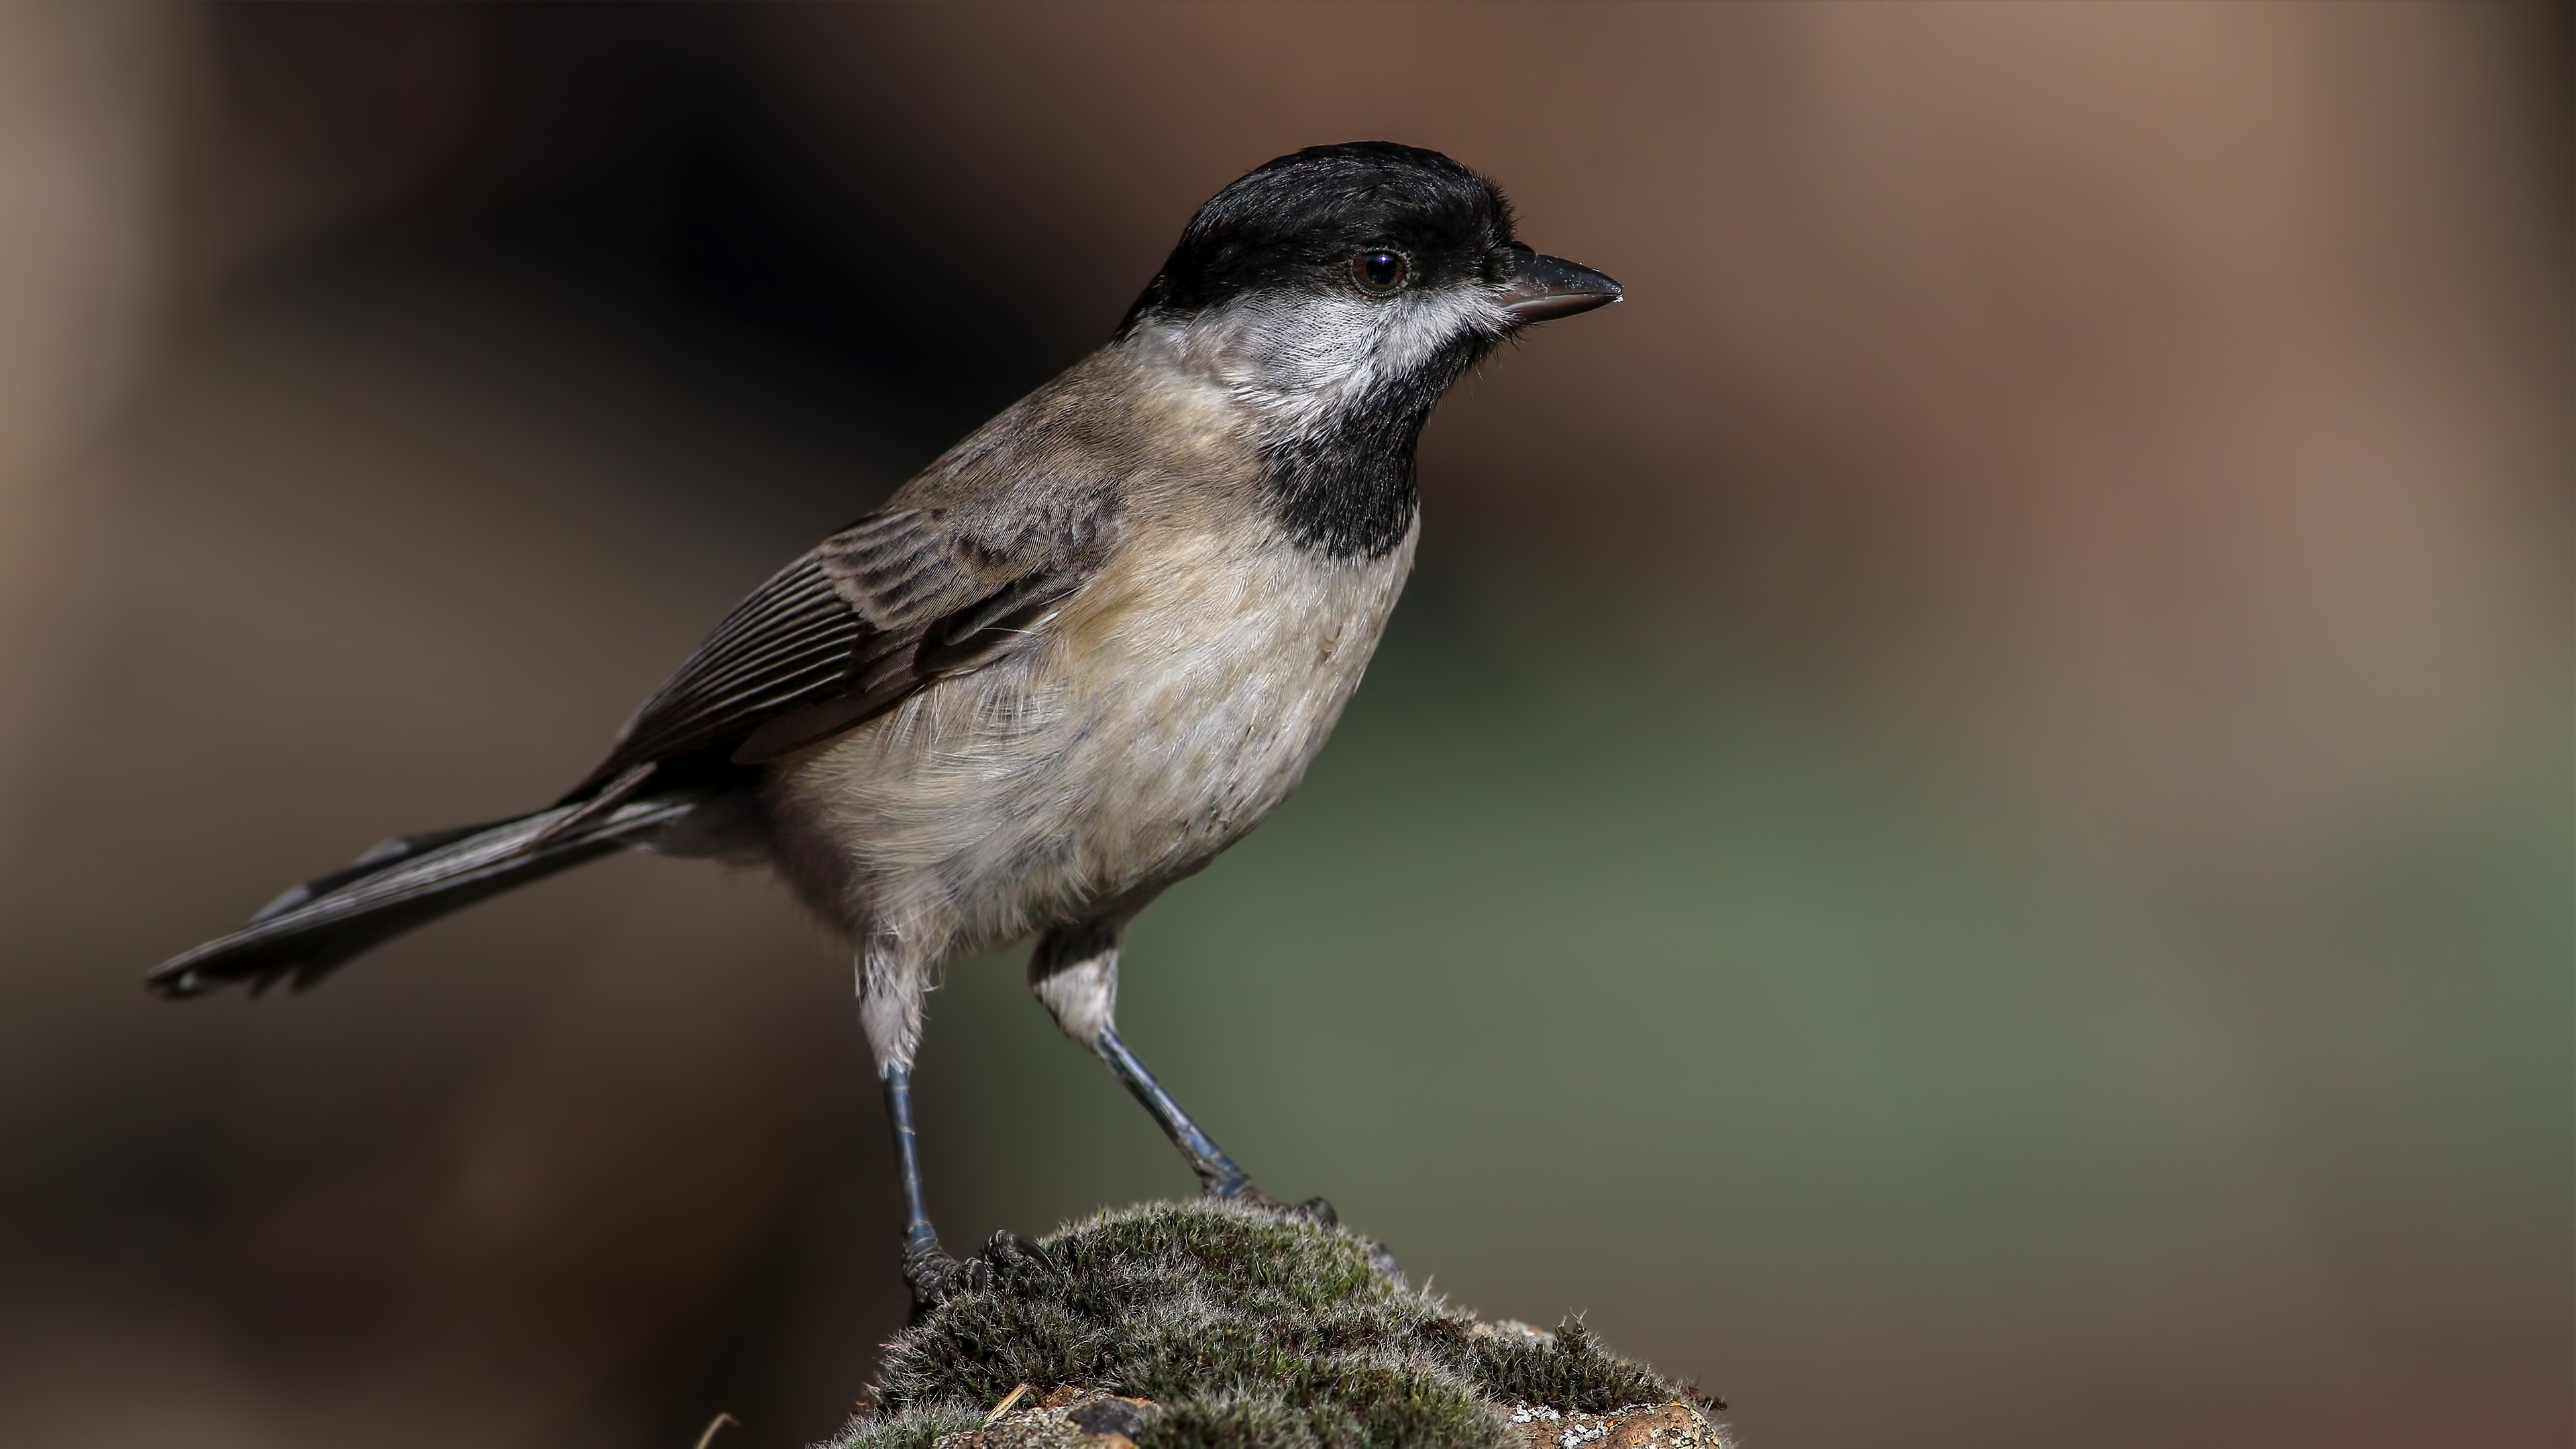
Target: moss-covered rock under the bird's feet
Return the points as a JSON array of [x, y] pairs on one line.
[[1245, 1329]]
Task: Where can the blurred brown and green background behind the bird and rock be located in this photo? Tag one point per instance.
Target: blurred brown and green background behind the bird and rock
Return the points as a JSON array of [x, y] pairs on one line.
[[1964, 837]]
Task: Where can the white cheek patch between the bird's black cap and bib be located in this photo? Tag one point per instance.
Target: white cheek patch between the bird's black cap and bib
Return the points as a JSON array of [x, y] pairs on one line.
[[1302, 362]]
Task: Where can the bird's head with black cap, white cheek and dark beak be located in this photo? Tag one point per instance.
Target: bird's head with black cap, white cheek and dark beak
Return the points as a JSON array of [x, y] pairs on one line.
[[1349, 282]]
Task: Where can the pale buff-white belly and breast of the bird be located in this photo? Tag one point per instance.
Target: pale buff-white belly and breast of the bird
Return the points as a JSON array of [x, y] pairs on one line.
[[1168, 710]]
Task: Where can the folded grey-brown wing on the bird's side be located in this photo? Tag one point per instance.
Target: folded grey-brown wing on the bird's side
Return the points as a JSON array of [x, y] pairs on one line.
[[833, 641]]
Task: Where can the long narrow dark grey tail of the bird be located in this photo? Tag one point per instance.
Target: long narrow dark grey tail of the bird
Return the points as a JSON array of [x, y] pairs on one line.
[[401, 886]]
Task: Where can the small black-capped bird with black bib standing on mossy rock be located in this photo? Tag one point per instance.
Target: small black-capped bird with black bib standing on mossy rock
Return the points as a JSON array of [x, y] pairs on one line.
[[1065, 666]]
